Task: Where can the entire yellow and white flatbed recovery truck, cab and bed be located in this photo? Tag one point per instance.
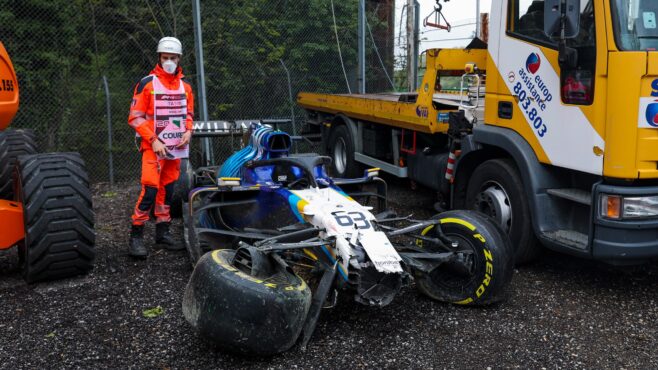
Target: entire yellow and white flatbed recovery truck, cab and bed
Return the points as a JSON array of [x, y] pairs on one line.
[[551, 129]]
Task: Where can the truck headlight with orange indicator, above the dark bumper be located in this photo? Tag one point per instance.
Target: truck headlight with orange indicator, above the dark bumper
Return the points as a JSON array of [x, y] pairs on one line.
[[618, 207]]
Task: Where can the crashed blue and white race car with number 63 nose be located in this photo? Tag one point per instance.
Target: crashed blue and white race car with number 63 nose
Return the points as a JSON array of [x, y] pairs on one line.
[[274, 240]]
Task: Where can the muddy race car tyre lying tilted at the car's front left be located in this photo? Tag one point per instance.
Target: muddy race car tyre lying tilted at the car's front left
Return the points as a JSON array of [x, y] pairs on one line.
[[243, 313]]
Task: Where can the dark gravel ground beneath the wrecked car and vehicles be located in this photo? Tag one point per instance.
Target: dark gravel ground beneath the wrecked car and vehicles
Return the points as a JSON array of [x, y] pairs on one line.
[[561, 313]]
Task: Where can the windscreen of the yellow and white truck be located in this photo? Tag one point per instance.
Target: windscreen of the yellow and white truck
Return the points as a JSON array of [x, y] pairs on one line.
[[635, 24]]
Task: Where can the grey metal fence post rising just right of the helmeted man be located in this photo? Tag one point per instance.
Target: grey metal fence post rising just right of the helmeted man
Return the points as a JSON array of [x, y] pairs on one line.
[[206, 148]]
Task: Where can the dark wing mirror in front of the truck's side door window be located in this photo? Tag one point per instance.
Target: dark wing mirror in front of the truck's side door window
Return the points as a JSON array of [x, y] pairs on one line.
[[562, 18]]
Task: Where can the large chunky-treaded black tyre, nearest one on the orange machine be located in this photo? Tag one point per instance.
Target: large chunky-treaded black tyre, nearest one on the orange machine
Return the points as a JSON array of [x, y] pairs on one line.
[[59, 219]]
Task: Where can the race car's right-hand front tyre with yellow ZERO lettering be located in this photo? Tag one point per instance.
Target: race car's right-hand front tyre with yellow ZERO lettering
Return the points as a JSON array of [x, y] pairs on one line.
[[492, 265]]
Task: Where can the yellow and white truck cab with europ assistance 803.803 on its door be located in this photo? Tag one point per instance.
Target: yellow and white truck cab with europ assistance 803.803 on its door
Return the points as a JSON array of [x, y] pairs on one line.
[[576, 111]]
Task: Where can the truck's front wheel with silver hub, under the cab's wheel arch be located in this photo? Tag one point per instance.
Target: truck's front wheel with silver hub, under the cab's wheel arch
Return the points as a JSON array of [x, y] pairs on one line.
[[496, 189]]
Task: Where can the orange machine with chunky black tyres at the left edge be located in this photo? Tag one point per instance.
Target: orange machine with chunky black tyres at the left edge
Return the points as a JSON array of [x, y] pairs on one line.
[[45, 202]]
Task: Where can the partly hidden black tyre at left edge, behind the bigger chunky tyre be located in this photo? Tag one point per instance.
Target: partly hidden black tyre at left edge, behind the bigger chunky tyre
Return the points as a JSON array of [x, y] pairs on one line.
[[13, 143]]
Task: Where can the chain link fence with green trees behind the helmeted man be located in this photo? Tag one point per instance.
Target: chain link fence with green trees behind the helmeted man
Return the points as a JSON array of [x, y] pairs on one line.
[[78, 62]]
